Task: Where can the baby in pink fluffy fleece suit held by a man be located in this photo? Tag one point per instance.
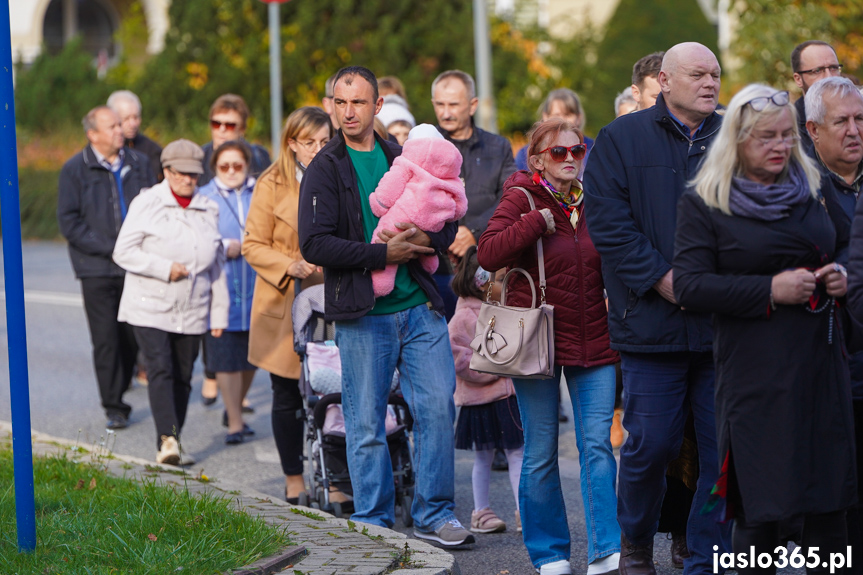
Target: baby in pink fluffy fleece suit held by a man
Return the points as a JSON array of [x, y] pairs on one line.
[[422, 187]]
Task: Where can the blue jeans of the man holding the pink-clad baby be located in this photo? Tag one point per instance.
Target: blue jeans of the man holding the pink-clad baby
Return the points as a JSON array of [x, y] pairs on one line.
[[416, 342]]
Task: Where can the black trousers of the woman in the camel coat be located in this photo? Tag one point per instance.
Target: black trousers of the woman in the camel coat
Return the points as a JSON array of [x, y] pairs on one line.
[[288, 418]]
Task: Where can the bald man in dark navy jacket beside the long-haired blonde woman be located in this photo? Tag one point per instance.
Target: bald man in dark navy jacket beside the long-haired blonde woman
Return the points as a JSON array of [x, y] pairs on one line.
[[638, 169]]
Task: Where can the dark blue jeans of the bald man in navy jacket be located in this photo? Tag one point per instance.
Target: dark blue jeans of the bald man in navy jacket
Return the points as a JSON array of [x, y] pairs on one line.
[[659, 389]]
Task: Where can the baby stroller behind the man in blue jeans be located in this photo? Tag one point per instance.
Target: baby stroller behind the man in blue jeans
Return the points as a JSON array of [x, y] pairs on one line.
[[320, 386]]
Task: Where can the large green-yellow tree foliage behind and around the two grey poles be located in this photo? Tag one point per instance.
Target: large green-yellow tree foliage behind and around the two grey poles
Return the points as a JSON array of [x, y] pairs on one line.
[[215, 47]]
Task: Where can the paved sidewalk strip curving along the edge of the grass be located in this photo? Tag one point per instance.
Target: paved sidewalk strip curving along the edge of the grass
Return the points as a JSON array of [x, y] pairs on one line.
[[325, 545]]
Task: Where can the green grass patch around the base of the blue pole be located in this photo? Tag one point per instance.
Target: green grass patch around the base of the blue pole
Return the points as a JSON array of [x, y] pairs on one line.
[[89, 522]]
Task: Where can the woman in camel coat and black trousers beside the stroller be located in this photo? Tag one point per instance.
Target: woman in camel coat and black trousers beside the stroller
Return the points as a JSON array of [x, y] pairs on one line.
[[271, 246]]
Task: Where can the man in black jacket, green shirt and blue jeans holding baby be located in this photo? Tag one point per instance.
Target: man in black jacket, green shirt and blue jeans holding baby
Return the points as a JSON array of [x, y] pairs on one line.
[[404, 329]]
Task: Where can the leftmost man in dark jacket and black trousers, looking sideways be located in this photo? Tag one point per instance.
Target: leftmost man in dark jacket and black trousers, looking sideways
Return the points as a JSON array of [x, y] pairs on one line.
[[95, 190]]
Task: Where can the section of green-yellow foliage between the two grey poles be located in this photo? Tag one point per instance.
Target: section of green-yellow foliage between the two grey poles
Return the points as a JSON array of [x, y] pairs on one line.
[[404, 38]]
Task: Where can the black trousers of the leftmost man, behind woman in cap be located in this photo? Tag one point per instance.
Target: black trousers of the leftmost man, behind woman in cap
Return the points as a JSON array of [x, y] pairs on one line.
[[114, 346]]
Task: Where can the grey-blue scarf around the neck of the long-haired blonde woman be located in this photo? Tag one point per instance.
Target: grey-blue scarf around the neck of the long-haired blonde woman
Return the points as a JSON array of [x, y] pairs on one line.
[[769, 203]]
